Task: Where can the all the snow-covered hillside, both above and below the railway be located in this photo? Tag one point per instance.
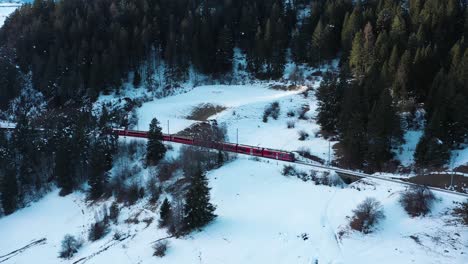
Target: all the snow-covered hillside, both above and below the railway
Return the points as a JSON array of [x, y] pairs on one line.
[[263, 216]]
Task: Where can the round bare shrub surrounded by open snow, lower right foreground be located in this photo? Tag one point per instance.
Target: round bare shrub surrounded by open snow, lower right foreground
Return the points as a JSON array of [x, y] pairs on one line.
[[367, 214]]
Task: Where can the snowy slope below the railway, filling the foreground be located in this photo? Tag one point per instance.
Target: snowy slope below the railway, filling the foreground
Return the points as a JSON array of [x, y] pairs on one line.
[[263, 217]]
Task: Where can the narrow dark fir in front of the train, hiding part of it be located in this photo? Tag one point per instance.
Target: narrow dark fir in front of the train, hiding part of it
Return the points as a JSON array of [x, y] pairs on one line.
[[155, 149]]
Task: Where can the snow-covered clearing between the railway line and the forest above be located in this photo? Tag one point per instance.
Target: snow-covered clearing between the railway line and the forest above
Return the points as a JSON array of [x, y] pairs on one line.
[[243, 115]]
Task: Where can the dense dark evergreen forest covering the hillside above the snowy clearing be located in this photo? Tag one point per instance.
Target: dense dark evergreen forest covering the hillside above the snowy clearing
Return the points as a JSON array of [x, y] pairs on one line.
[[400, 61]]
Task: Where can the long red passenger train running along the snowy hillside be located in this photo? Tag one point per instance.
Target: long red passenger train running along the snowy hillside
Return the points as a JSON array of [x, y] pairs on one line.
[[225, 146]]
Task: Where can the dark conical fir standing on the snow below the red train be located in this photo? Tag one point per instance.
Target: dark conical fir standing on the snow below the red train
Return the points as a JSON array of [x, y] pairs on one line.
[[198, 210]]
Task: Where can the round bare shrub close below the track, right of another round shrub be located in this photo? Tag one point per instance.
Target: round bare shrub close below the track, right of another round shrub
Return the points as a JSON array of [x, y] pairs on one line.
[[417, 200]]
